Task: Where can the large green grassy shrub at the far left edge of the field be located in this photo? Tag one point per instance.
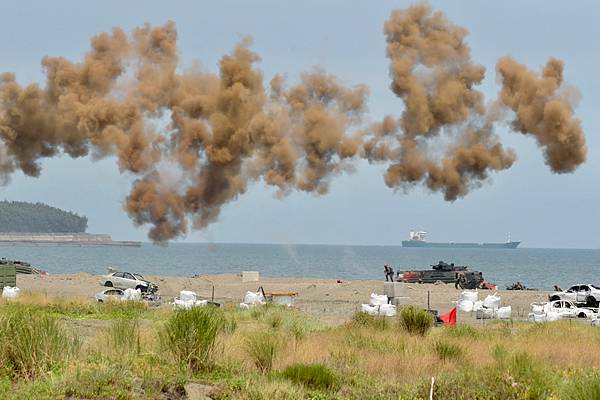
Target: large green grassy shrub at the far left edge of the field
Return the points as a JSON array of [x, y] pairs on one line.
[[32, 343]]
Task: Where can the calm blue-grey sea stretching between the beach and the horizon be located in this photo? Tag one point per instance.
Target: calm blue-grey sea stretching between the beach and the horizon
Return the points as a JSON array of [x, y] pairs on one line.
[[535, 268]]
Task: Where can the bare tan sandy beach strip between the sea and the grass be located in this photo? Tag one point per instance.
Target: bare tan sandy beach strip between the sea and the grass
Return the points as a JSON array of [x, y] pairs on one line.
[[326, 299]]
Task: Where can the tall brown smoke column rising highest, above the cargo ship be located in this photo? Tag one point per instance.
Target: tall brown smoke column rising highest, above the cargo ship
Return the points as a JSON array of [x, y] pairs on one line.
[[432, 72]]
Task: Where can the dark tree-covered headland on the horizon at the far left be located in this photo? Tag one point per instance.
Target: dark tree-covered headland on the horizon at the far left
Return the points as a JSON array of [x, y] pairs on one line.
[[19, 216]]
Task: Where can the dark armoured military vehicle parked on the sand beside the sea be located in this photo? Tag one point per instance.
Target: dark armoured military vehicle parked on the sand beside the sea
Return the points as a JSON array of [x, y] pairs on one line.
[[460, 275]]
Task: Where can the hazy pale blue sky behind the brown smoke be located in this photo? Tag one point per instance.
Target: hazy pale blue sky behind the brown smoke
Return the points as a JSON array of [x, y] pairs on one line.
[[345, 38]]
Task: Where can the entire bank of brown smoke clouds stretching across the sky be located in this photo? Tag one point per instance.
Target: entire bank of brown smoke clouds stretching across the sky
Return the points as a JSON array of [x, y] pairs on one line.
[[195, 140]]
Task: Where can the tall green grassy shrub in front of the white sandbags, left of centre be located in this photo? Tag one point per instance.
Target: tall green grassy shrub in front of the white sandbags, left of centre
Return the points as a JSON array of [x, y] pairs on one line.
[[191, 336]]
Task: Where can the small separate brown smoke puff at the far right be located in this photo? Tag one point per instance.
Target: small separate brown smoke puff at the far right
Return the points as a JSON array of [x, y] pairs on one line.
[[541, 111]]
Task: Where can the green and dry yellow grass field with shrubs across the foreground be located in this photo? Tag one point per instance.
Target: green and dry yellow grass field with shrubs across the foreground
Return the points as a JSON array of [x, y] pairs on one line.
[[52, 348]]
